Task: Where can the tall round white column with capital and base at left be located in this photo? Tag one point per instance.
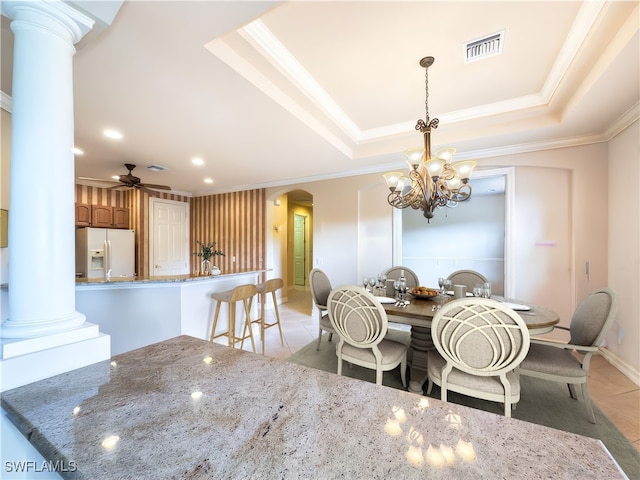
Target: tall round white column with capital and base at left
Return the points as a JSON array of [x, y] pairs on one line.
[[41, 216]]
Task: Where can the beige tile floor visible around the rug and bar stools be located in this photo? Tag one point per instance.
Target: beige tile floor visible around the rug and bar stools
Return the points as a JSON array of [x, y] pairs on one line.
[[616, 395]]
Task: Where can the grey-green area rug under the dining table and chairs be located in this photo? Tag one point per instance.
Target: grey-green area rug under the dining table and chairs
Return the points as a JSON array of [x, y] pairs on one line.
[[542, 402]]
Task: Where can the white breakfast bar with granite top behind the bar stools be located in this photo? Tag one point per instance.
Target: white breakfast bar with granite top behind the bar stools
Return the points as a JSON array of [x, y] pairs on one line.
[[137, 312]]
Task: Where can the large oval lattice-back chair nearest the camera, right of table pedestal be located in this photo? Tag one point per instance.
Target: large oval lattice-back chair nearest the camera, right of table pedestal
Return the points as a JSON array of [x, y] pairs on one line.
[[479, 343]]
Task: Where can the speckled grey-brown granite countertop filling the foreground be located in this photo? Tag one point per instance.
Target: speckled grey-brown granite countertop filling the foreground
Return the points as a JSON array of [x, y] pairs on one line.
[[186, 408]]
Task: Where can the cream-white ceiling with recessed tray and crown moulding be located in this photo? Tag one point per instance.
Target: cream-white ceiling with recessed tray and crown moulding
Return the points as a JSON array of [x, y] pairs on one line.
[[271, 93]]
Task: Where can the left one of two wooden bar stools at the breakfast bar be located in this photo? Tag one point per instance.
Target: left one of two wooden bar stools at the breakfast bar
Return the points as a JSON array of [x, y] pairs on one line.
[[244, 293]]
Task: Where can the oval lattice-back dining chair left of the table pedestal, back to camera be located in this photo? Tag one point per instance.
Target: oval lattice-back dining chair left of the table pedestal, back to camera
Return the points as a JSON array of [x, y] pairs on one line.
[[360, 322]]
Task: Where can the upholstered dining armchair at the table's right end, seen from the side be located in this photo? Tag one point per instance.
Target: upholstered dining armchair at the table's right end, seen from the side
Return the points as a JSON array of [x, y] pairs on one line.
[[558, 362]]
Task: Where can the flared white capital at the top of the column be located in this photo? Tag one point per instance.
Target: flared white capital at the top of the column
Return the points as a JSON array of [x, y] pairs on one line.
[[53, 15]]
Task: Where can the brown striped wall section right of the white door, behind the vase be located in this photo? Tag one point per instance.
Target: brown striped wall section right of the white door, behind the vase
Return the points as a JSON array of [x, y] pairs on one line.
[[236, 222]]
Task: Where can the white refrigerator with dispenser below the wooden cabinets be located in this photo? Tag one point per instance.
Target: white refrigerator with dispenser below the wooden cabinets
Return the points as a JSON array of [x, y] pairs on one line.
[[105, 253]]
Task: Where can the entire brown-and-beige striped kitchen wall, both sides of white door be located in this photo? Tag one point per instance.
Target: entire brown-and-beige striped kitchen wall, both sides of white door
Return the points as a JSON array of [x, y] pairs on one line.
[[235, 221]]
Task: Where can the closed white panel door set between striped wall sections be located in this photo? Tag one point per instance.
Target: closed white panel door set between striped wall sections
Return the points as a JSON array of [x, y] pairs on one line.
[[168, 237]]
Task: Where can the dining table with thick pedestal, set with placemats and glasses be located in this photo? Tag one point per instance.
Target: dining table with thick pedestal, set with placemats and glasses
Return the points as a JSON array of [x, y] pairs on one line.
[[419, 312]]
